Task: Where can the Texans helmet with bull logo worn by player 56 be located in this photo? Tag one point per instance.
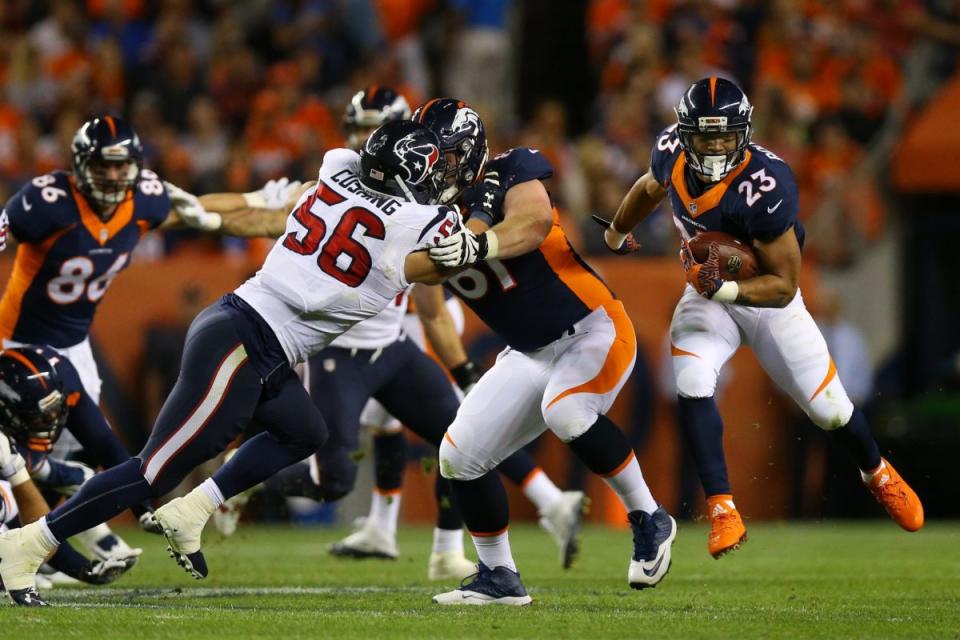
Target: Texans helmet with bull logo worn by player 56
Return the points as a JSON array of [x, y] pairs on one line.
[[402, 158]]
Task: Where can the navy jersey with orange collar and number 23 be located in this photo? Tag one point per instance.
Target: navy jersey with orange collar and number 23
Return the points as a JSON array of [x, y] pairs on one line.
[[757, 200]]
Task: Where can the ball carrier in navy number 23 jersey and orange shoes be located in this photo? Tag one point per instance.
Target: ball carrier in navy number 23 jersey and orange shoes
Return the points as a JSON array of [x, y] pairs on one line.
[[718, 180]]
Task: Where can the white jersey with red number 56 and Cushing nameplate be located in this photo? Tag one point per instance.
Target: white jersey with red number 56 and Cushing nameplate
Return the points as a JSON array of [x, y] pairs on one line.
[[341, 260]]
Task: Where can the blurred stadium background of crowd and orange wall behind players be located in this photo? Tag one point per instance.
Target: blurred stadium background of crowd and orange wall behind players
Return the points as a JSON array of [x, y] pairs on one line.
[[857, 95]]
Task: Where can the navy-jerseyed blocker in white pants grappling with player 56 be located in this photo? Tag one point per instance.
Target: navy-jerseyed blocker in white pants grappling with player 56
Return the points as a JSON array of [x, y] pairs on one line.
[[571, 348]]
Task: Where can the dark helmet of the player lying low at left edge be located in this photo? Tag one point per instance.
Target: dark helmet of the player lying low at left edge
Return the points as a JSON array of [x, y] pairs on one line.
[[33, 407]]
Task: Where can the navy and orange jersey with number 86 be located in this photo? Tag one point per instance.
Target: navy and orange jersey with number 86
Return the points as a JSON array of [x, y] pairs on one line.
[[67, 256]]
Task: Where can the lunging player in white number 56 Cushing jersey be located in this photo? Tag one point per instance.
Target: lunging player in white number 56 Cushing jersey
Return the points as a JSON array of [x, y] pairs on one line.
[[352, 246]]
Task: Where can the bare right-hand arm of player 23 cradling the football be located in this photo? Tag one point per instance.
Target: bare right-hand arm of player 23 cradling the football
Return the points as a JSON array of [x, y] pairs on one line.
[[779, 261]]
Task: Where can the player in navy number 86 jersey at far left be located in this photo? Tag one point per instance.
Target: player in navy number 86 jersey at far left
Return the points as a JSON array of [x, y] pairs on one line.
[[76, 231]]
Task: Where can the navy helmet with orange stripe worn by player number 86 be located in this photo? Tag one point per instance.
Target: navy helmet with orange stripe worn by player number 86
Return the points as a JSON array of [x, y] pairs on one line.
[[98, 143]]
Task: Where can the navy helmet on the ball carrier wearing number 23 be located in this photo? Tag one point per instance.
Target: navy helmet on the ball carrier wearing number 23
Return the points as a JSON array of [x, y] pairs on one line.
[[714, 105]]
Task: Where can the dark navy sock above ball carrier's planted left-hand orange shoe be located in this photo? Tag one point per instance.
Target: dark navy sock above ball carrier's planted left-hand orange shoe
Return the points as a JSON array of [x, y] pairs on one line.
[[702, 429]]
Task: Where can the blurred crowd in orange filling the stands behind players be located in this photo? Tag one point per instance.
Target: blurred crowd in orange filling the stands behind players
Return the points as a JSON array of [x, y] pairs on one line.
[[226, 95]]
